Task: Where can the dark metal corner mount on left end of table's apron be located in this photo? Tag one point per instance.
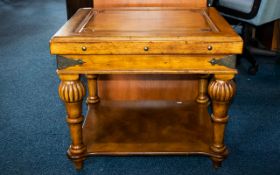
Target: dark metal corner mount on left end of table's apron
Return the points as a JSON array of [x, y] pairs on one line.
[[63, 63]]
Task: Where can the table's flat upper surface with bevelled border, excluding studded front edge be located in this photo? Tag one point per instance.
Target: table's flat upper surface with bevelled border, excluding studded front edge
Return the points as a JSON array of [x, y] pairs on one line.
[[89, 25]]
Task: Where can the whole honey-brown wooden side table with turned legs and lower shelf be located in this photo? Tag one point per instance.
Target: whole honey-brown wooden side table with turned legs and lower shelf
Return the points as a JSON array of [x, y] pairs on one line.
[[147, 41]]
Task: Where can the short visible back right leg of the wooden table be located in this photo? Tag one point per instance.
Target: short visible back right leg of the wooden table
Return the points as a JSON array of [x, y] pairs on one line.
[[202, 90]]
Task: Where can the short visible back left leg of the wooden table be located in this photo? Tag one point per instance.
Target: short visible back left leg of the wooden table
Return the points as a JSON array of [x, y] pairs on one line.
[[92, 89]]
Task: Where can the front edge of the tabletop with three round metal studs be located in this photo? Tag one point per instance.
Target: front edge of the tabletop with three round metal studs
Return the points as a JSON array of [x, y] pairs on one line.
[[144, 48]]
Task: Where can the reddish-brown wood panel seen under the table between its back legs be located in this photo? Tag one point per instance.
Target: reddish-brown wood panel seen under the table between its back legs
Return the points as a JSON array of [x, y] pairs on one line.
[[148, 87]]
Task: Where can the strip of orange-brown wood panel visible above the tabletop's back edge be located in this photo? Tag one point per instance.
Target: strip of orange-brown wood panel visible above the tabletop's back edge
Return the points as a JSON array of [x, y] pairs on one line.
[[149, 3]]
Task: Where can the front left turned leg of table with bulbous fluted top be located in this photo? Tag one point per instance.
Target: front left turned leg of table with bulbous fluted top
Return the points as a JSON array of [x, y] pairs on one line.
[[72, 91]]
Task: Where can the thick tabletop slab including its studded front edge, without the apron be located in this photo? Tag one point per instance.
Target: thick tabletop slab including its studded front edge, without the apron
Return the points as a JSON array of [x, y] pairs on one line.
[[185, 31]]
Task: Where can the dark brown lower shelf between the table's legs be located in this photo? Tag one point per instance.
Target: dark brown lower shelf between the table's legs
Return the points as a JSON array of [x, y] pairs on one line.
[[147, 128]]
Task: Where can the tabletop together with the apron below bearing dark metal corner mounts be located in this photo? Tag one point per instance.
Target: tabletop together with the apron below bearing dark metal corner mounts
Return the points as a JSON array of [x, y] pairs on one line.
[[146, 40]]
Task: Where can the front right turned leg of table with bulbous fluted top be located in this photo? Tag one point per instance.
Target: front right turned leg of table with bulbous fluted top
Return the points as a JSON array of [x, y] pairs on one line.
[[221, 90]]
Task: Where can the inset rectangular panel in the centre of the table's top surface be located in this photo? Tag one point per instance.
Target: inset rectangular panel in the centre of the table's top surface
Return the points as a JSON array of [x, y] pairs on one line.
[[142, 22]]
